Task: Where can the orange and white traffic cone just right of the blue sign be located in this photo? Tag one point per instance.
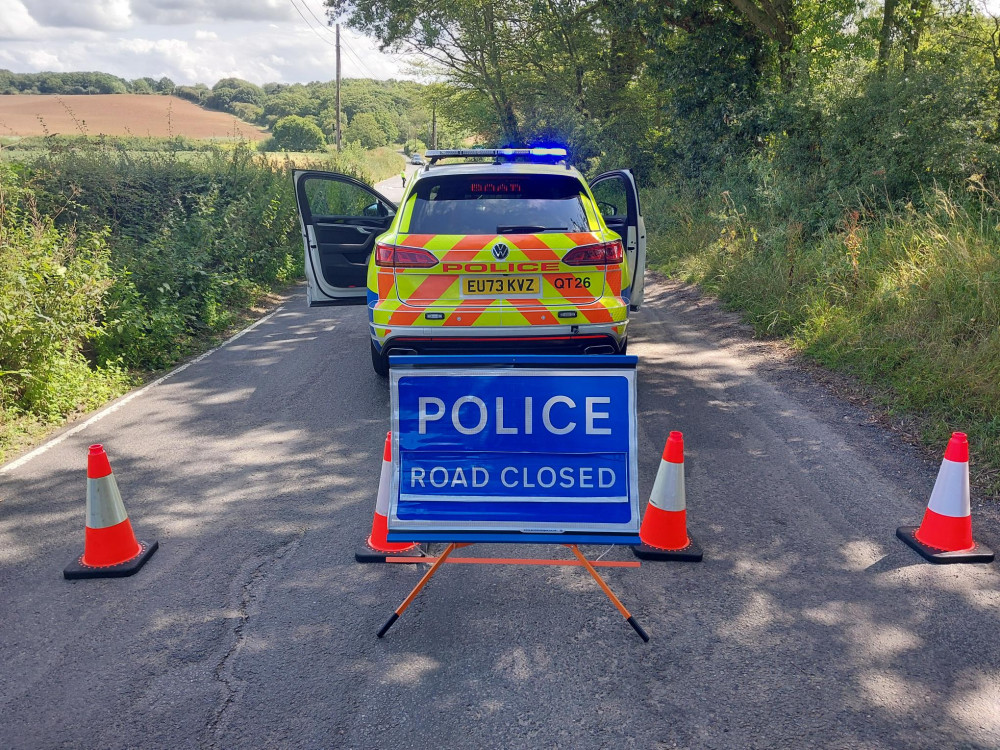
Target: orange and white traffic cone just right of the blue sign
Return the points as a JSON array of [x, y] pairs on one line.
[[664, 527]]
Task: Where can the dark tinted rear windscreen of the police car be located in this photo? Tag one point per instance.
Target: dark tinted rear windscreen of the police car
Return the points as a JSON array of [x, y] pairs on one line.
[[491, 204]]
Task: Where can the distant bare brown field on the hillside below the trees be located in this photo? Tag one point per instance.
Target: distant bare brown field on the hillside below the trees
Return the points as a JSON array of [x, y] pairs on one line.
[[118, 114]]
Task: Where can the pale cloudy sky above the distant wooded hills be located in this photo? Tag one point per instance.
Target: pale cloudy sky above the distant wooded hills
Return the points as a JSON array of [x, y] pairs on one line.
[[189, 41]]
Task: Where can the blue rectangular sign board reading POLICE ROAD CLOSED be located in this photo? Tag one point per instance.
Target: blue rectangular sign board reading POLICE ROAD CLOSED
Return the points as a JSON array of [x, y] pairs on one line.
[[524, 448]]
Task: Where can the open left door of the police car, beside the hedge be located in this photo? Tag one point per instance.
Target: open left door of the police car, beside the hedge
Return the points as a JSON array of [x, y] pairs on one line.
[[340, 218]]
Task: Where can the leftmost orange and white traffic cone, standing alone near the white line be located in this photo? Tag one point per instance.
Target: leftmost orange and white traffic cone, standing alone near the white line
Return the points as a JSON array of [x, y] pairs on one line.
[[110, 549]]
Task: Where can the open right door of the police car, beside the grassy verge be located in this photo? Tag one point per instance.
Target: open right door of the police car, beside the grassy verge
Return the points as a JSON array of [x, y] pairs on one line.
[[618, 201]]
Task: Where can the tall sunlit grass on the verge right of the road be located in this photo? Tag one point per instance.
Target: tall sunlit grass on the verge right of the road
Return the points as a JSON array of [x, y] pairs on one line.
[[906, 299]]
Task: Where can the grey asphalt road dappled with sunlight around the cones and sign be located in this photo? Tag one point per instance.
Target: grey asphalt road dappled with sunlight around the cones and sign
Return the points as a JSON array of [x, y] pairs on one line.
[[808, 624]]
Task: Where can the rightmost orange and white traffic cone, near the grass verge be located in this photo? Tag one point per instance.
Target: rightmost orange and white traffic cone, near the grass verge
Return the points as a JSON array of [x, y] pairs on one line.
[[945, 534]]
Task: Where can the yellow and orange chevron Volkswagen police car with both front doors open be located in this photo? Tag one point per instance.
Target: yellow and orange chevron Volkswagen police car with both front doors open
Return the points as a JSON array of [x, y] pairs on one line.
[[490, 251]]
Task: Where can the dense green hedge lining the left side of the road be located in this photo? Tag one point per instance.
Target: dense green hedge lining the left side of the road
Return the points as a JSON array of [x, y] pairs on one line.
[[114, 263]]
